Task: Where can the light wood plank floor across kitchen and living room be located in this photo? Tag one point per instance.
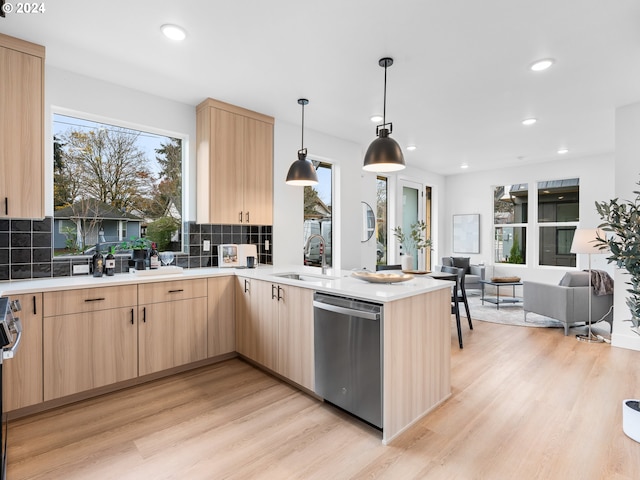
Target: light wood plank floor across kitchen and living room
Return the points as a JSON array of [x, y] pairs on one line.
[[528, 403]]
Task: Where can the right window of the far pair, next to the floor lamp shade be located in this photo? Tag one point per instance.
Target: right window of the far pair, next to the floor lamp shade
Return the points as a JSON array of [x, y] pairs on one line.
[[558, 216]]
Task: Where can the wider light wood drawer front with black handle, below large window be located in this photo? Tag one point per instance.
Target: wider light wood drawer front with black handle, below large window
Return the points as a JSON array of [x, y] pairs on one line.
[[89, 300]]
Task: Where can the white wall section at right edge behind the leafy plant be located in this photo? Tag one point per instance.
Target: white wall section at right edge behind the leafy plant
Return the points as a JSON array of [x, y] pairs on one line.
[[627, 170]]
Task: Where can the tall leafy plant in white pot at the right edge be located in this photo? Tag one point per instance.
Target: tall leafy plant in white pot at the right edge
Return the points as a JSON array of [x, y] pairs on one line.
[[622, 218]]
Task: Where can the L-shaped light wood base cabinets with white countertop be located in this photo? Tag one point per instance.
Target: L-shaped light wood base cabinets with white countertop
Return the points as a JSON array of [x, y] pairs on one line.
[[99, 335]]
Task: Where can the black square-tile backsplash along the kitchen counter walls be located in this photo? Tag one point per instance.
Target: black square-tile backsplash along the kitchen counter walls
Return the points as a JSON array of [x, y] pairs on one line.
[[26, 248]]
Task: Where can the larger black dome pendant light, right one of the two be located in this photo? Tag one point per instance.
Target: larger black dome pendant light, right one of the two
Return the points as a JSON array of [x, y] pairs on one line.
[[384, 154]]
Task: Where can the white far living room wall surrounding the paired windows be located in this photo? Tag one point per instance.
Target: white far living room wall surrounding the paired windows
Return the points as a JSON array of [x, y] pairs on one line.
[[472, 192]]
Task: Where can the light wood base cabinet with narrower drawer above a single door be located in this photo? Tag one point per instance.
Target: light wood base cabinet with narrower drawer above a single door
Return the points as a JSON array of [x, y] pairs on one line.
[[173, 330]]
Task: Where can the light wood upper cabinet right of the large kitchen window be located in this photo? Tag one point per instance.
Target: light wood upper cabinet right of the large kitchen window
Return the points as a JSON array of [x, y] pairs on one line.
[[234, 165]]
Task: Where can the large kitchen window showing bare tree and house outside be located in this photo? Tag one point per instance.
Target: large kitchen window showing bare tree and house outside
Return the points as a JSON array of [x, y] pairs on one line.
[[111, 183]]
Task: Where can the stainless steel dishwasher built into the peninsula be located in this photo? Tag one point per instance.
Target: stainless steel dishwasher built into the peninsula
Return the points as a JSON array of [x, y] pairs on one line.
[[348, 355]]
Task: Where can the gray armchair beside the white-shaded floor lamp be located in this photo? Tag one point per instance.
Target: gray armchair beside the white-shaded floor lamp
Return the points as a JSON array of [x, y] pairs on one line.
[[568, 302]]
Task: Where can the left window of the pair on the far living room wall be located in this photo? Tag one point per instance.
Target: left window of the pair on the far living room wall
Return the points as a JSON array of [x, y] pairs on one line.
[[510, 204]]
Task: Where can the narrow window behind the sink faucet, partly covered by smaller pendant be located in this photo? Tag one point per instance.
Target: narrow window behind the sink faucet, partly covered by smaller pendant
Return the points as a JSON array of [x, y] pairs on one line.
[[317, 216]]
